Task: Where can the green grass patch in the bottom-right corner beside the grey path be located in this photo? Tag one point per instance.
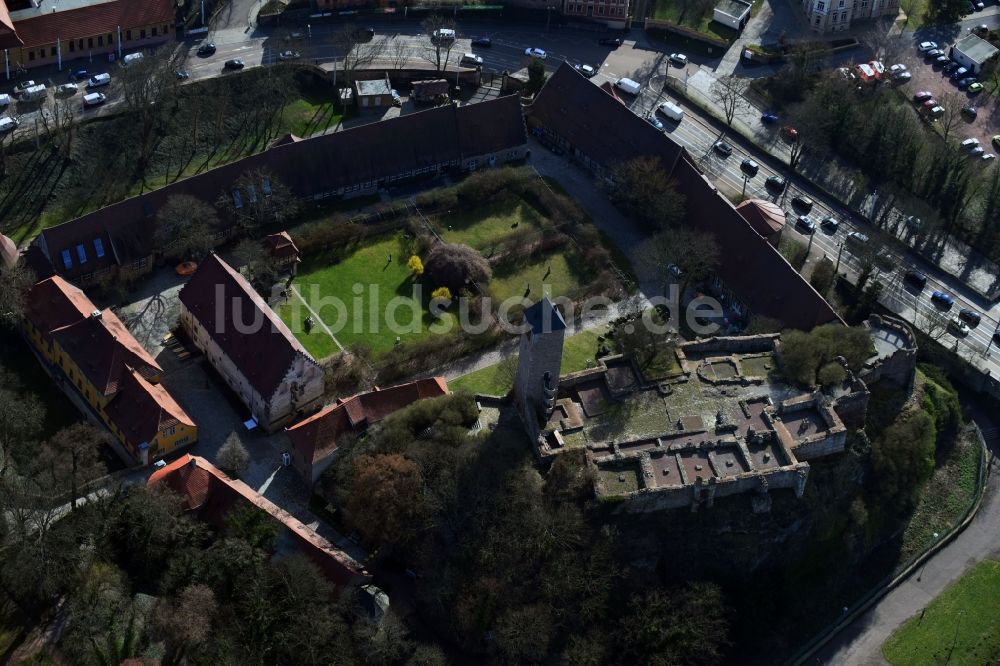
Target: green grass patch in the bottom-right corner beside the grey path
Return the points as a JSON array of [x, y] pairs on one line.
[[960, 627]]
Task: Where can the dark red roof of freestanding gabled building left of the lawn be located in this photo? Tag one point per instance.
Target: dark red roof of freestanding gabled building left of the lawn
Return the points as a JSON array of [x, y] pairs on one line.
[[264, 354]]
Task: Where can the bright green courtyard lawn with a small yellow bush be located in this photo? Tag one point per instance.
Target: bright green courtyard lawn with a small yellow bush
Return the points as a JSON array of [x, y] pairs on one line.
[[378, 270]]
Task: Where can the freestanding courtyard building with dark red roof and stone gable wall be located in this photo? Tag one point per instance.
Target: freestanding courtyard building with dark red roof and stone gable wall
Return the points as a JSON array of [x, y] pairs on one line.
[[249, 345]]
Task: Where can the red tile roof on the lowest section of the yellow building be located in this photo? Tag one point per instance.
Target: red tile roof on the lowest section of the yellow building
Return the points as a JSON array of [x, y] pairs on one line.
[[142, 410]]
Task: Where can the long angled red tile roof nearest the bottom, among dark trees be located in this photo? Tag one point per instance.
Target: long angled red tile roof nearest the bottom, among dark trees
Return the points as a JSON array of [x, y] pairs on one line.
[[208, 490]]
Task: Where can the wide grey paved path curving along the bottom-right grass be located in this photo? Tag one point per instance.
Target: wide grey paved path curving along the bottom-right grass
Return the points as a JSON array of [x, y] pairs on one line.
[[860, 643]]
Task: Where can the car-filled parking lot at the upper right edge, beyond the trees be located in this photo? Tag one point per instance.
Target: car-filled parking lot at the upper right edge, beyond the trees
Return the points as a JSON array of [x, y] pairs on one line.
[[929, 76]]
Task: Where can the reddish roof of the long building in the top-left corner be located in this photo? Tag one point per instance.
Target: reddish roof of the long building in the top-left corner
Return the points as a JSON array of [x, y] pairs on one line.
[[102, 18]]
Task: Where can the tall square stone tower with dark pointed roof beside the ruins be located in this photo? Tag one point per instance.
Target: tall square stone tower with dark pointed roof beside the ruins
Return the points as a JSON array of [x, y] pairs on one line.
[[538, 364]]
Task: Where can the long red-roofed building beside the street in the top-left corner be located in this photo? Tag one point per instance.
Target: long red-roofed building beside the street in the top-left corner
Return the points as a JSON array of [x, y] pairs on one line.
[[45, 32]]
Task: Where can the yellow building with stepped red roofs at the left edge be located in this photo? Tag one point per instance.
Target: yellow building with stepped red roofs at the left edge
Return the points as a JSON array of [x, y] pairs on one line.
[[93, 357]]
